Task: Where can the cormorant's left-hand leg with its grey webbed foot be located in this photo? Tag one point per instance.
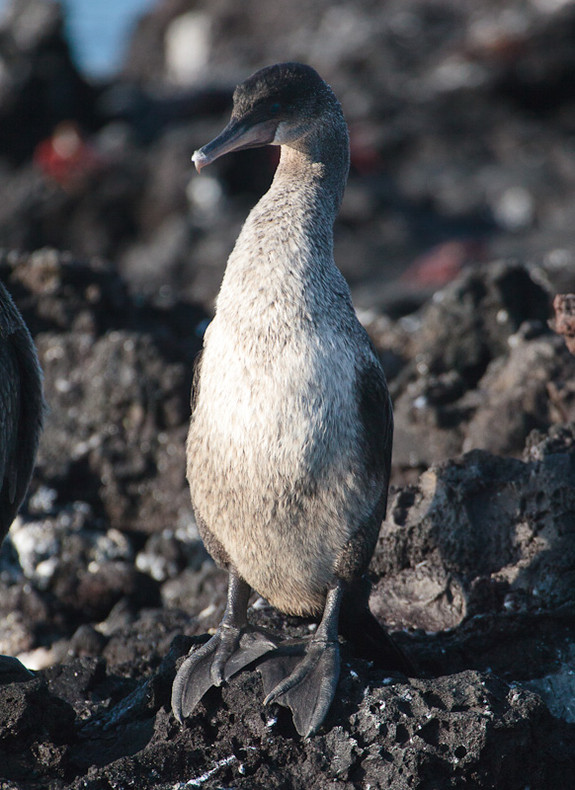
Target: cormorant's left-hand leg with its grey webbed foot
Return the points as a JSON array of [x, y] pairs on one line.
[[231, 648]]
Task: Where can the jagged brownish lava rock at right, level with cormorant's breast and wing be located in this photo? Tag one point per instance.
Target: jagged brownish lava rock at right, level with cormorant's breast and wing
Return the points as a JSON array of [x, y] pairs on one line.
[[480, 368]]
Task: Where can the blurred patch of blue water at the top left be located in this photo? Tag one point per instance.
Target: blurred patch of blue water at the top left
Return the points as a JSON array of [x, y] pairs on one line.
[[98, 31]]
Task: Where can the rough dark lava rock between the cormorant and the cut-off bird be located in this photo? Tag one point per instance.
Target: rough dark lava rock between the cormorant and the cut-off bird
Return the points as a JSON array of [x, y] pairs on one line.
[[117, 375]]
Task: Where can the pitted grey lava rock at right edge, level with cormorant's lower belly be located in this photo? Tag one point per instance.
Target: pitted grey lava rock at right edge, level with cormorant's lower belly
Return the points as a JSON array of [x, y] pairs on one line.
[[477, 531]]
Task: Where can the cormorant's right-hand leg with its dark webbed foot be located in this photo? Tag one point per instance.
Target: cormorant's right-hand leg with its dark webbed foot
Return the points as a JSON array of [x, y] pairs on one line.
[[309, 688]]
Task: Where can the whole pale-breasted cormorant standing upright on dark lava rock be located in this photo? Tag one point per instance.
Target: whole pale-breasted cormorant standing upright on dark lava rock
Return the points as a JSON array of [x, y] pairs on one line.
[[289, 448]]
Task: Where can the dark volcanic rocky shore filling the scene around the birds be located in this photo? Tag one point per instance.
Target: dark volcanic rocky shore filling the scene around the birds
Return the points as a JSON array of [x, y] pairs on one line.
[[456, 233]]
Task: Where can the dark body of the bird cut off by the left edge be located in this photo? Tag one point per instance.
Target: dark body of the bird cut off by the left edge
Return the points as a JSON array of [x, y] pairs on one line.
[[21, 409]]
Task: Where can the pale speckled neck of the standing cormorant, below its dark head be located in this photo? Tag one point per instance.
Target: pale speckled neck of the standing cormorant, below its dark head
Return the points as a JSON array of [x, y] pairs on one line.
[[284, 253]]
